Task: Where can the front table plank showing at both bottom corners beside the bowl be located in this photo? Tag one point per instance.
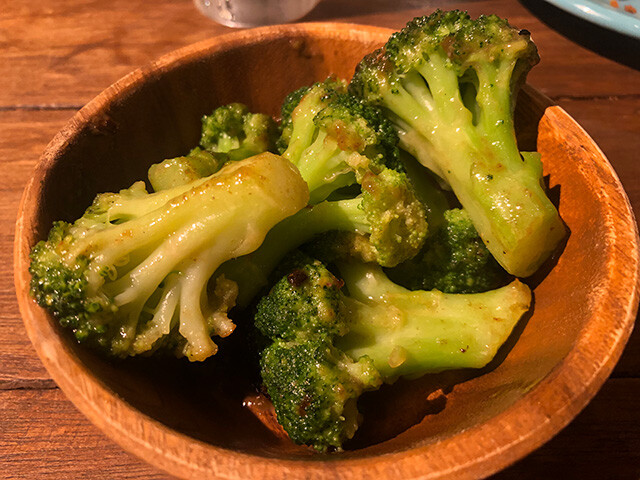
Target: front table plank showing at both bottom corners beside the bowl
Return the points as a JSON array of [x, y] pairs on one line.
[[33, 449]]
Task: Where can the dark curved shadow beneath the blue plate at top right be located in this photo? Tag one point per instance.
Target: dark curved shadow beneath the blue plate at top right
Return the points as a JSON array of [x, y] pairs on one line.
[[615, 46]]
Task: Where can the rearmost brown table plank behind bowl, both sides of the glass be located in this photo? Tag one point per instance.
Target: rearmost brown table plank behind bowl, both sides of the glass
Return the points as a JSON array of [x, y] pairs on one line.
[[70, 55]]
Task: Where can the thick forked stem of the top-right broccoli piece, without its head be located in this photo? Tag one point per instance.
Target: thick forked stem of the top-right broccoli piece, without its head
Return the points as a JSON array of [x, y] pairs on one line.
[[502, 192]]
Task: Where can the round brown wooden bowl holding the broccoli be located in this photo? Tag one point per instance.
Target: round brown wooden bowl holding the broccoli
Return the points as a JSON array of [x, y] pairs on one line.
[[195, 421]]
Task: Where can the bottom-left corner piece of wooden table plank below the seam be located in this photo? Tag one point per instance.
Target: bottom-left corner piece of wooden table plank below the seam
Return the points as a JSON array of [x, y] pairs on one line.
[[72, 448]]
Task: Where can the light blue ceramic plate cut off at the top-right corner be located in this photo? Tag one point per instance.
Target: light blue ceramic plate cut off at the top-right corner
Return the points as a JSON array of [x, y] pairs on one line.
[[622, 16]]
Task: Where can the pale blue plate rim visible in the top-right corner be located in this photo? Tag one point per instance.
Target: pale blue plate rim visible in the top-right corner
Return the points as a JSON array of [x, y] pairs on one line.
[[601, 15]]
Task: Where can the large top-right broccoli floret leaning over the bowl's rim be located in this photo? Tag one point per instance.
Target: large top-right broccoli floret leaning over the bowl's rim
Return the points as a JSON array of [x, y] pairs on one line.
[[449, 83]]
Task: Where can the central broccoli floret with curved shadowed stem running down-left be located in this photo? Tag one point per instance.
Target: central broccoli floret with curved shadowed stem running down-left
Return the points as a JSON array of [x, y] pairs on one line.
[[385, 223]]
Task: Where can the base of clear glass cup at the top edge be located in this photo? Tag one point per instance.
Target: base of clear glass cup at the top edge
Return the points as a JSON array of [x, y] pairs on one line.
[[253, 13]]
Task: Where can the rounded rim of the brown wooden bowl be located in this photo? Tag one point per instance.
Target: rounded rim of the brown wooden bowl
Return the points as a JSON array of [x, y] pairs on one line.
[[572, 383]]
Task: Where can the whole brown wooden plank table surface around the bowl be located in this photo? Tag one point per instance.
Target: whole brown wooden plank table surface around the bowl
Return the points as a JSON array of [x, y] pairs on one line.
[[56, 55]]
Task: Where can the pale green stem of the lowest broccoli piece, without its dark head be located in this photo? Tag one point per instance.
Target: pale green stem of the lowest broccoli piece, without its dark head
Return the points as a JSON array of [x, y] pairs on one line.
[[409, 333]]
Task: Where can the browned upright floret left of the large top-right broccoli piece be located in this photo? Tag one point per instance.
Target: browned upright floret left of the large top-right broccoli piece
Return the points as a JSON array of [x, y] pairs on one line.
[[335, 139]]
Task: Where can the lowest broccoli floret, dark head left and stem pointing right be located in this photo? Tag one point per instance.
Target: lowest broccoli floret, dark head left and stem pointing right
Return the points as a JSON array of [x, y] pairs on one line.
[[330, 345]]
